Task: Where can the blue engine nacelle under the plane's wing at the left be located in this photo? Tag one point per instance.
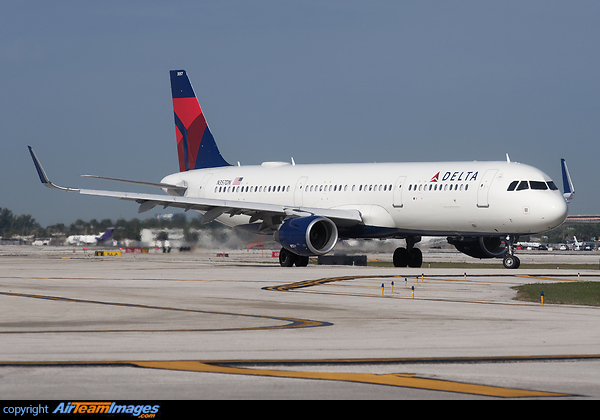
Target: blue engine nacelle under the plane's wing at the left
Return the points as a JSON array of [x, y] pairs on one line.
[[307, 236]]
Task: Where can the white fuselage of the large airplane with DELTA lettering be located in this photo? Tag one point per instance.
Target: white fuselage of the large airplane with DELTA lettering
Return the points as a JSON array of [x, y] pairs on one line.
[[395, 199]]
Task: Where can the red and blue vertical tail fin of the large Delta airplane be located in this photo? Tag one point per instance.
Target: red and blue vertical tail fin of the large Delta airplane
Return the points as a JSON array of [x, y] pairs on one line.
[[196, 146]]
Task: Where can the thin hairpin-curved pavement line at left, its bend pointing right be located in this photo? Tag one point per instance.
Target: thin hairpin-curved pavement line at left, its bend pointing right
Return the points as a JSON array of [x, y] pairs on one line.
[[292, 322]]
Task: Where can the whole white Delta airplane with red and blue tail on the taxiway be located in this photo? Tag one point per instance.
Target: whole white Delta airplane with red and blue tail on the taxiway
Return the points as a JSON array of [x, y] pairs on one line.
[[481, 207]]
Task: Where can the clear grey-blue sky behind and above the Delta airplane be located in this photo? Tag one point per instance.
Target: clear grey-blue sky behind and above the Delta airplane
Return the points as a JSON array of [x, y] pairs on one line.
[[86, 84]]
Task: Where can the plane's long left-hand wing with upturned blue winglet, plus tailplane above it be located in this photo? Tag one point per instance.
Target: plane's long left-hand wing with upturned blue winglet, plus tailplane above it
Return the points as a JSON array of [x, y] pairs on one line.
[[271, 215]]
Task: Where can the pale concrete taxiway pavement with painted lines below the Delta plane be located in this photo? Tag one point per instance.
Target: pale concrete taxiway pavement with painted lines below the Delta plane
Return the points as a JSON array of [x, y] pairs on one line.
[[197, 326]]
